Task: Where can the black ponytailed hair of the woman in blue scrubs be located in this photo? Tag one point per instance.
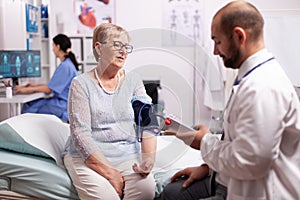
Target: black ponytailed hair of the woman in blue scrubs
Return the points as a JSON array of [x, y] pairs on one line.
[[65, 45]]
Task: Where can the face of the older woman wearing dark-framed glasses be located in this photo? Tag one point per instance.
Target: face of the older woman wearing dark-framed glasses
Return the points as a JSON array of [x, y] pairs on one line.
[[114, 51]]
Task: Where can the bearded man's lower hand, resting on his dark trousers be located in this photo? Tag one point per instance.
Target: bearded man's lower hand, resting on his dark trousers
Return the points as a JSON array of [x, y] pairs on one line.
[[193, 174]]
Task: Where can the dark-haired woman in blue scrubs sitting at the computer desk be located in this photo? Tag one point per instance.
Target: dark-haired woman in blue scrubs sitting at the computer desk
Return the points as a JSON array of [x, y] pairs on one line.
[[58, 87]]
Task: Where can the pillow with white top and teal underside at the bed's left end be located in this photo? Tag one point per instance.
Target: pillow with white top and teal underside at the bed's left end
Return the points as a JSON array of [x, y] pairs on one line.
[[39, 131]]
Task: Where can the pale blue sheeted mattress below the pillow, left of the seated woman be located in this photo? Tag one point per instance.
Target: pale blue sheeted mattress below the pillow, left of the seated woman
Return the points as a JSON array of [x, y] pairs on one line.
[[34, 176]]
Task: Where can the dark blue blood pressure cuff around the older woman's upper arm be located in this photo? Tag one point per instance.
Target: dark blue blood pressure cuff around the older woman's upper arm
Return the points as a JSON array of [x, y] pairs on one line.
[[144, 114]]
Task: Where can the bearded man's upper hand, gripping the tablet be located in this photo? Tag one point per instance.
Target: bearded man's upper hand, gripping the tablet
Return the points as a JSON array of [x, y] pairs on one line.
[[193, 138]]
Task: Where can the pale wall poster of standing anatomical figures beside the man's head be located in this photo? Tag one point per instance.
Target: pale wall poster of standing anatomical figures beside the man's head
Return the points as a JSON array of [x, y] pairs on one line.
[[184, 20]]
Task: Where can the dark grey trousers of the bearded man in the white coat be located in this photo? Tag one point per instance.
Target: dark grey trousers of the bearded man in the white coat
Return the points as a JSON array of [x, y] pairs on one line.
[[197, 190]]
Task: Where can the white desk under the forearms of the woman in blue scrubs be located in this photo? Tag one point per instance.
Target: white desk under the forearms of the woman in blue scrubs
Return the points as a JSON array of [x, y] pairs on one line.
[[18, 99]]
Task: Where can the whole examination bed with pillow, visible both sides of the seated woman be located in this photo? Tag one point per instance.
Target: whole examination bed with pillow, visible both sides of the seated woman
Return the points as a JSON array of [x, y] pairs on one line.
[[31, 166]]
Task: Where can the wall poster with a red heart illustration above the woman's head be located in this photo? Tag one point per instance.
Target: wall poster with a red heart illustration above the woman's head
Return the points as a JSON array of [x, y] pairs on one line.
[[90, 13]]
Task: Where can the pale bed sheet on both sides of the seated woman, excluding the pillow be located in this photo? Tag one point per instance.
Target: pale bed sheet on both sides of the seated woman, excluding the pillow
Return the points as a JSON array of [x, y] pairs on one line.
[[42, 178]]
